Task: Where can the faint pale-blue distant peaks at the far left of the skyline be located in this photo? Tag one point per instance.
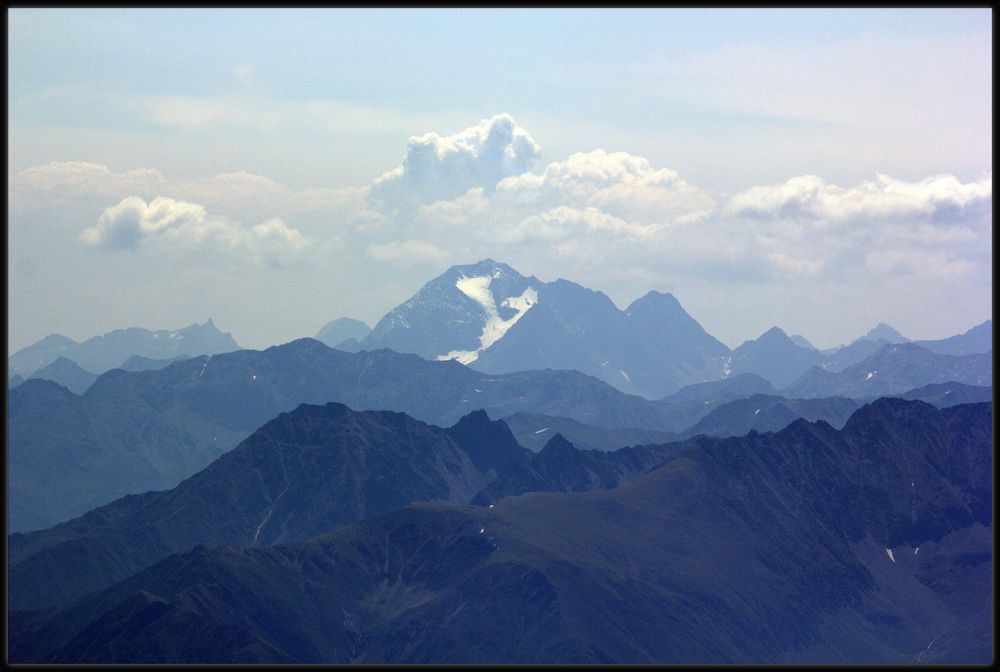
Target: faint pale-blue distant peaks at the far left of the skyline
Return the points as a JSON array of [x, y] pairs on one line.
[[103, 353]]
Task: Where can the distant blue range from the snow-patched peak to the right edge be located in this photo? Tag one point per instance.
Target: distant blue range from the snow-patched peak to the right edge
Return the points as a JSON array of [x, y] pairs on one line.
[[492, 318]]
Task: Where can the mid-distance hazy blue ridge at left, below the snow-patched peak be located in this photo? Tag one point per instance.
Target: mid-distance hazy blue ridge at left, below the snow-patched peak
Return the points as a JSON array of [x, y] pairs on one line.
[[137, 431]]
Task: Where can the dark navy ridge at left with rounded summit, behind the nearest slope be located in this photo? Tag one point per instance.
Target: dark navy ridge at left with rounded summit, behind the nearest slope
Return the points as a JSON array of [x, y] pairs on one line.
[[303, 473]]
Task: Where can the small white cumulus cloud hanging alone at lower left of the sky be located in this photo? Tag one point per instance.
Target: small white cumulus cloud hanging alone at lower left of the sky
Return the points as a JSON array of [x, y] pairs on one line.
[[180, 225]]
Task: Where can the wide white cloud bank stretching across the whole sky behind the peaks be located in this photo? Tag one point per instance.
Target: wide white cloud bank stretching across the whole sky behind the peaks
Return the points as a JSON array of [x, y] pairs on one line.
[[611, 220]]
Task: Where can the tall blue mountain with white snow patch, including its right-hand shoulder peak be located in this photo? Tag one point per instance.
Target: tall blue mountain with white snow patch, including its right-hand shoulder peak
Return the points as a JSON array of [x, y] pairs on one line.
[[489, 316]]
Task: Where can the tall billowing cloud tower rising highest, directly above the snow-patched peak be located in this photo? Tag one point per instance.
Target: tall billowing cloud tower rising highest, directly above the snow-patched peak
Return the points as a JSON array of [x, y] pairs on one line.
[[443, 167]]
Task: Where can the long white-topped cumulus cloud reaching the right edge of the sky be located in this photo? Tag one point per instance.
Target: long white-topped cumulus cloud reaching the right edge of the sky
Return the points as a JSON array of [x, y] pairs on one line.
[[937, 227]]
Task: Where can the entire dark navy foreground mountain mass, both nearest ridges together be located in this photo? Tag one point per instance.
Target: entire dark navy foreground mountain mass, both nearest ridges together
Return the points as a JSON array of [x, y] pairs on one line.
[[869, 544]]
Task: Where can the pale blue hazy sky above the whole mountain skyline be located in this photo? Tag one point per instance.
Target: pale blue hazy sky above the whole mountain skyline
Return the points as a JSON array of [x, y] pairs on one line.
[[323, 102]]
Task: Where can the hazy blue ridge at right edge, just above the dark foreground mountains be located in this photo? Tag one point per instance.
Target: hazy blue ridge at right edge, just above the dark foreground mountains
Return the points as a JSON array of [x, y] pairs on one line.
[[894, 369]]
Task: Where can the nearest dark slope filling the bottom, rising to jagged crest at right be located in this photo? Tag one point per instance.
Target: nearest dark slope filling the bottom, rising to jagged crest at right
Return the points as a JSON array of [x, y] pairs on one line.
[[870, 544]]
